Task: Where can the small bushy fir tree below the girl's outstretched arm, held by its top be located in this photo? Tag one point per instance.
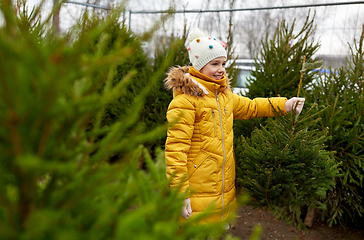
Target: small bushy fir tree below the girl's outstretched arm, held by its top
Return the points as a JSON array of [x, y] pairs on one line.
[[286, 167]]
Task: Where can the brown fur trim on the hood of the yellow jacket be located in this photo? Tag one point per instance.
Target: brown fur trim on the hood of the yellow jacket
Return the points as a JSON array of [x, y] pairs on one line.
[[179, 80]]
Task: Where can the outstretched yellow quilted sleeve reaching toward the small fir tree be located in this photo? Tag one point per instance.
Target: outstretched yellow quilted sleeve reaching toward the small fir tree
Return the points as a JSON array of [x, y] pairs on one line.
[[245, 108]]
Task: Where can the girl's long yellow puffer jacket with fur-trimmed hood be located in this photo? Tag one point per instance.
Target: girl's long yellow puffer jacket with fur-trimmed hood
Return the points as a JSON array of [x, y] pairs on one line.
[[199, 147]]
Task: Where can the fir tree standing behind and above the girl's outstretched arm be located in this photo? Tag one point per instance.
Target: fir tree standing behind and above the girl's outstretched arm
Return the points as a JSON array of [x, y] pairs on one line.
[[277, 68]]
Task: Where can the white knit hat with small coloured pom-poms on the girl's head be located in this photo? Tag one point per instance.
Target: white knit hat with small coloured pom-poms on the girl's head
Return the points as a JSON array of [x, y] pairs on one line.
[[203, 49]]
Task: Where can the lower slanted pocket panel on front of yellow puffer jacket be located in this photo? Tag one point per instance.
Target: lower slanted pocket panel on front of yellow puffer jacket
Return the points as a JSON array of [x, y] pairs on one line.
[[203, 173]]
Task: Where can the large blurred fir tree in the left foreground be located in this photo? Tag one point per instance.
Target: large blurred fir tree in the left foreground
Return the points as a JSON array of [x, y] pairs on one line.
[[55, 180]]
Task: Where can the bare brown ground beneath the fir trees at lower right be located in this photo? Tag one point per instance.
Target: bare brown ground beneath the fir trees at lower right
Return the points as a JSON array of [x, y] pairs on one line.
[[248, 218]]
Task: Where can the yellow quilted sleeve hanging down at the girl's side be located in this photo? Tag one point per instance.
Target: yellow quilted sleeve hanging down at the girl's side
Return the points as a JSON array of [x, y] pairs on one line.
[[181, 119]]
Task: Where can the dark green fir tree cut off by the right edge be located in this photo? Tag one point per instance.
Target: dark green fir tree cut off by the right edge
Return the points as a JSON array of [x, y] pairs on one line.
[[341, 91]]
